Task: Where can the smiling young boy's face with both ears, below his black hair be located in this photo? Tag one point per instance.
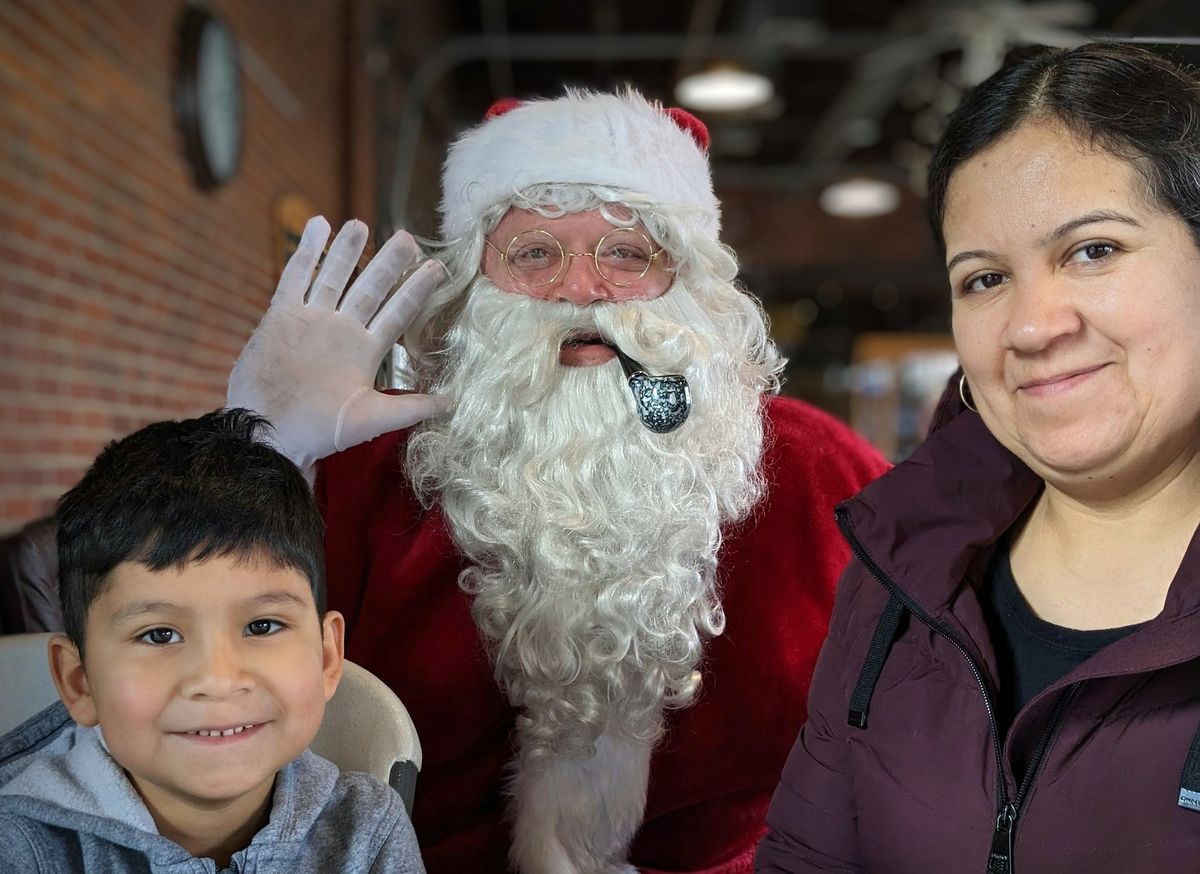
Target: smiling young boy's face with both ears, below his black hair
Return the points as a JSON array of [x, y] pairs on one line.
[[206, 681]]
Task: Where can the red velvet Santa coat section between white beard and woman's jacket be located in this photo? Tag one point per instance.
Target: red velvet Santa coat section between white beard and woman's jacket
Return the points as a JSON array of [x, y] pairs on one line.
[[713, 776]]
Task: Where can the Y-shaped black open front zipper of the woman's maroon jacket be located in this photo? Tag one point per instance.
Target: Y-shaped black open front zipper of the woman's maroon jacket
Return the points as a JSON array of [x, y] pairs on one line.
[[1000, 860]]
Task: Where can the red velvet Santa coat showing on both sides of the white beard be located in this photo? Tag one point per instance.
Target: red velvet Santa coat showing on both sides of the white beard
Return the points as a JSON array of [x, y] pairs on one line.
[[393, 572]]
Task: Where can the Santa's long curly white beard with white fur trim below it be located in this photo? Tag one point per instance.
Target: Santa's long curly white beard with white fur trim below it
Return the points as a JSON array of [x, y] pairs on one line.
[[593, 542]]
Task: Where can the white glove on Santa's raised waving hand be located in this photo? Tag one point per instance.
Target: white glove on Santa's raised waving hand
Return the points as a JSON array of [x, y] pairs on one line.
[[310, 366]]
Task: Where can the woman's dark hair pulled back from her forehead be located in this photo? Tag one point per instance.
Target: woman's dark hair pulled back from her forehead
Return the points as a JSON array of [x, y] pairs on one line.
[[1126, 100]]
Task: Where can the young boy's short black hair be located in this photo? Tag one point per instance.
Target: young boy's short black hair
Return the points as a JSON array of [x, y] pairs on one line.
[[182, 492]]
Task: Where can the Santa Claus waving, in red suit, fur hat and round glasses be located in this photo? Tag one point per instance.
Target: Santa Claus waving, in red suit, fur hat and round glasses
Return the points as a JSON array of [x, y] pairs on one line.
[[593, 553]]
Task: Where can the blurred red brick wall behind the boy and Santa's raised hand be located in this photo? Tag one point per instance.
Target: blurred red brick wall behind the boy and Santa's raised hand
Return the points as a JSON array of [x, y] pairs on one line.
[[125, 292]]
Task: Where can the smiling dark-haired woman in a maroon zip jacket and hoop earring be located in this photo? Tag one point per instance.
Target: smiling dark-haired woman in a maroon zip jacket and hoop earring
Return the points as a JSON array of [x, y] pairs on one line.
[[1012, 677]]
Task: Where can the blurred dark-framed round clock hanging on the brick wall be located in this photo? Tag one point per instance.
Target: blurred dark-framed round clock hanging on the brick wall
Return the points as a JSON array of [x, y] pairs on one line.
[[208, 98]]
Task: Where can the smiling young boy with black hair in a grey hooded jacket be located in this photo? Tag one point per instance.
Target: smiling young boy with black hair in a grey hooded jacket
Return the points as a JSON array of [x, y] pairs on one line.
[[197, 662]]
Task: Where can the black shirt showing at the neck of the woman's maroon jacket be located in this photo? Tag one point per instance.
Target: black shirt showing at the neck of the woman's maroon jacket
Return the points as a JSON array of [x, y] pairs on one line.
[[1031, 652]]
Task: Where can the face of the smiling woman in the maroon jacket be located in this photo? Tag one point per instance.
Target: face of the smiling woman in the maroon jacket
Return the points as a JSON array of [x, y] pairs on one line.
[[1077, 310]]
